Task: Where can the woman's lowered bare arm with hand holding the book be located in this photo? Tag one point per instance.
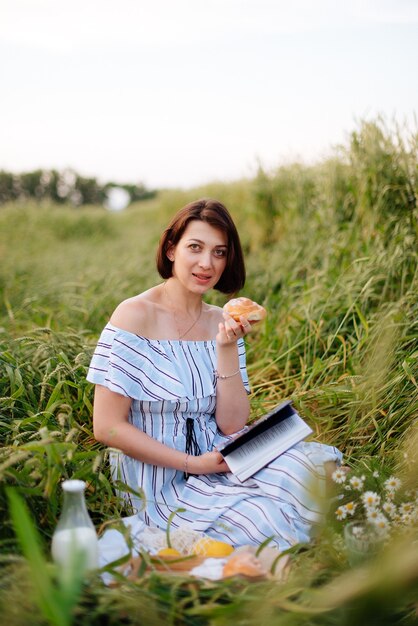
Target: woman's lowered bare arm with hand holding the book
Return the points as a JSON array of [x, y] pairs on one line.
[[112, 428]]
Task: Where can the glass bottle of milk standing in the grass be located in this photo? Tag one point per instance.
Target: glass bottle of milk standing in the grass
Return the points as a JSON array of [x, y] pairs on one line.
[[75, 539]]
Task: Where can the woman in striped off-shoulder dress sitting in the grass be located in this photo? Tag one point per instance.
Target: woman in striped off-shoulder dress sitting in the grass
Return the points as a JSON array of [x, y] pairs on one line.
[[171, 385]]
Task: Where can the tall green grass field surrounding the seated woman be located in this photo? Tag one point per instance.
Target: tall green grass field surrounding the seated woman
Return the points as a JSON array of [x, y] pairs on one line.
[[332, 253]]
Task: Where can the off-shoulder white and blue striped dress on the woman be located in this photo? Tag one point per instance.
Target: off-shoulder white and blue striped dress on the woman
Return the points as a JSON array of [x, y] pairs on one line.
[[172, 382]]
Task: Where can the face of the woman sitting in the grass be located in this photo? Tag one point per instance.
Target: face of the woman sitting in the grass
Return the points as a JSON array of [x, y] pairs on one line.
[[199, 258]]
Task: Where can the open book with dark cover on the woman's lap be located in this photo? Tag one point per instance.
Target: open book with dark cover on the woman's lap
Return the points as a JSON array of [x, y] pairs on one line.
[[264, 440]]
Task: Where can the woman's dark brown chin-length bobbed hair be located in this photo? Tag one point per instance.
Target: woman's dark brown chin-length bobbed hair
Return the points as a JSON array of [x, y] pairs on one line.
[[218, 216]]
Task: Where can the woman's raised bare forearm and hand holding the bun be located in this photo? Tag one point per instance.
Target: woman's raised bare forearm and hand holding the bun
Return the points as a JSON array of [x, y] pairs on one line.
[[232, 403]]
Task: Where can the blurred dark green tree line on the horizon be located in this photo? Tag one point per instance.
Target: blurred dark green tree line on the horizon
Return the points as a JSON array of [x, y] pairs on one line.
[[65, 186]]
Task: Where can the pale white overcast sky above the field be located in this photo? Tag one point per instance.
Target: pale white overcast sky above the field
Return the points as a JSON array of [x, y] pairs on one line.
[[178, 93]]
